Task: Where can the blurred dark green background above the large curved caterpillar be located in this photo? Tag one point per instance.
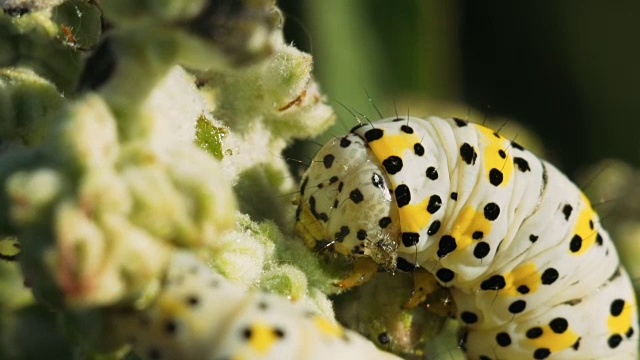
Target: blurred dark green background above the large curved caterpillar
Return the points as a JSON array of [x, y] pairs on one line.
[[568, 71]]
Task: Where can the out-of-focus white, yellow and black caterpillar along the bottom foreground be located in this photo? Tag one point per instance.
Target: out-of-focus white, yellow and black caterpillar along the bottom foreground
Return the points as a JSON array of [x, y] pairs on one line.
[[199, 314]]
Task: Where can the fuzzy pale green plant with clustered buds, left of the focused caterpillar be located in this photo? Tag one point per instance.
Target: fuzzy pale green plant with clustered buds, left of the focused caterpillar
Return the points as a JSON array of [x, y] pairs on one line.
[[140, 139]]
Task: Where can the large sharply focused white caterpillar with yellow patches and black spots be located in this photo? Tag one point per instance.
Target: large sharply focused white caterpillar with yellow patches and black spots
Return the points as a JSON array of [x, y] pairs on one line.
[[531, 270]]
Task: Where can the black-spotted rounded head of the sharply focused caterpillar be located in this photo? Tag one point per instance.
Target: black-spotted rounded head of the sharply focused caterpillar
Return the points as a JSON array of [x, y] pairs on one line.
[[345, 203]]
